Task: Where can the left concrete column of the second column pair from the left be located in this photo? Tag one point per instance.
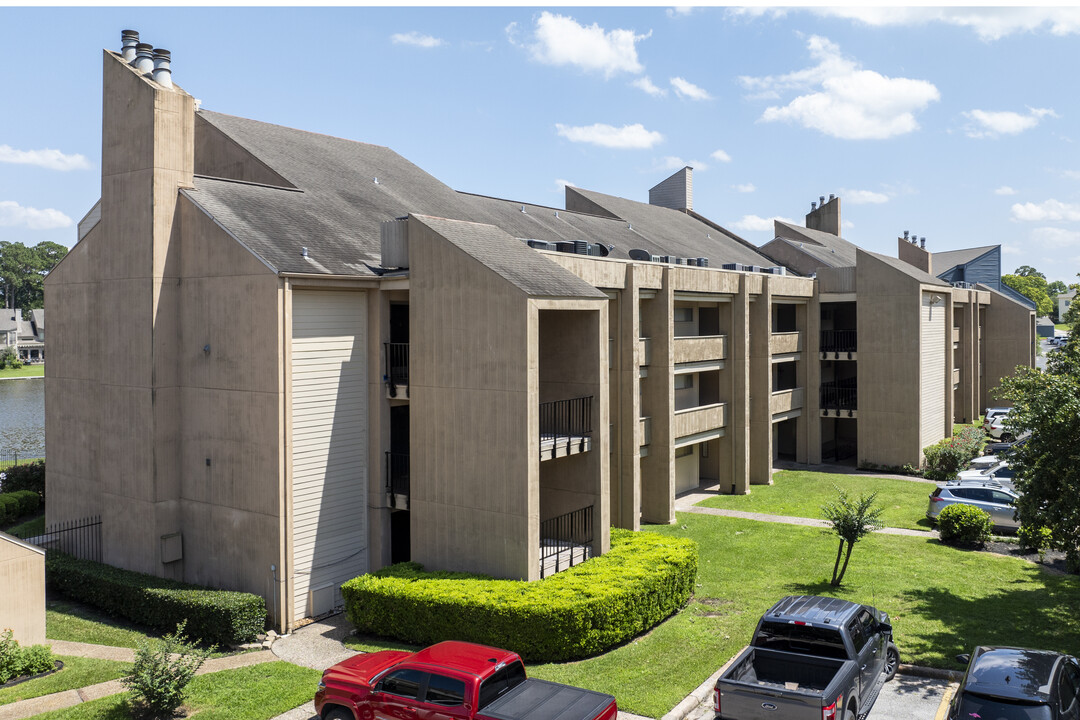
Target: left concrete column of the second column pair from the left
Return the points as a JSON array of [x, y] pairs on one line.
[[739, 370]]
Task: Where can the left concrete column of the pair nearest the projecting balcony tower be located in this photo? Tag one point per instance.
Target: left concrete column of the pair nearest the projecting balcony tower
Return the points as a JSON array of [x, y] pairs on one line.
[[627, 473]]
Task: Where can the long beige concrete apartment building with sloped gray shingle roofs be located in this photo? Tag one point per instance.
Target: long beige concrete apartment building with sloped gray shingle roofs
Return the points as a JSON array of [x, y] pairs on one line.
[[327, 361]]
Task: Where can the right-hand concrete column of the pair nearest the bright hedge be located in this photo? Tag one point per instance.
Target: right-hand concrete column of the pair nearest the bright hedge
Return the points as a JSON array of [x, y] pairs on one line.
[[658, 397]]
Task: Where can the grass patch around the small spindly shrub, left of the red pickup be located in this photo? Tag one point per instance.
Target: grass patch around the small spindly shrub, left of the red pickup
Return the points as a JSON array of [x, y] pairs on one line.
[[247, 694]]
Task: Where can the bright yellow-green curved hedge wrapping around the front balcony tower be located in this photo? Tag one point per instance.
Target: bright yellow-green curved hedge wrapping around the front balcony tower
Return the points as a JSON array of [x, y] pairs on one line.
[[576, 614]]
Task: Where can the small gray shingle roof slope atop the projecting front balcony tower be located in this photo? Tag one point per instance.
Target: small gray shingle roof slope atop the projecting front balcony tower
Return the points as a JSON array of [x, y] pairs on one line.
[[512, 260]]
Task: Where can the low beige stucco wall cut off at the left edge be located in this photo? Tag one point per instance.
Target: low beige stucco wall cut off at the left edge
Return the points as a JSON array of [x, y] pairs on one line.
[[23, 600]]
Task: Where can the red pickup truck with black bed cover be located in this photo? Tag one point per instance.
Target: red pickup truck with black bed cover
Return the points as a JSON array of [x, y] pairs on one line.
[[451, 682]]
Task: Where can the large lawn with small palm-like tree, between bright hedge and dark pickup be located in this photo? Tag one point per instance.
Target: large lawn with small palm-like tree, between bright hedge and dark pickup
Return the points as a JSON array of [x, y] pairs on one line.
[[942, 601]]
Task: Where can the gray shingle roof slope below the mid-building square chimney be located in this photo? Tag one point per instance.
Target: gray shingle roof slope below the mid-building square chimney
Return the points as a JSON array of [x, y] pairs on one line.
[[665, 232]]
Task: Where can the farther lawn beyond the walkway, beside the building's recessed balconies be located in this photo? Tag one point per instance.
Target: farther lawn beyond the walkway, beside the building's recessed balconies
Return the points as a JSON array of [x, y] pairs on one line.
[[802, 495]]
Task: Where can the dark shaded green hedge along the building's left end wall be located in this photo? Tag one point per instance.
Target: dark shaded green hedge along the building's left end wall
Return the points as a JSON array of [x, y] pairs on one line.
[[222, 618]]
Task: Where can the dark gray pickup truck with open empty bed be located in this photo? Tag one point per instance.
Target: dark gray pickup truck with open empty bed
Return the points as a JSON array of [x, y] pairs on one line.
[[813, 659]]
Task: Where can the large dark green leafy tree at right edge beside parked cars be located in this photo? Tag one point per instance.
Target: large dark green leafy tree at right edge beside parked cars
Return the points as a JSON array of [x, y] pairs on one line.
[[1048, 466]]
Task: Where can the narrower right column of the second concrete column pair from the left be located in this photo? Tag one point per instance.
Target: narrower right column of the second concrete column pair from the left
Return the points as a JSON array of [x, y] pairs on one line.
[[761, 388]]
